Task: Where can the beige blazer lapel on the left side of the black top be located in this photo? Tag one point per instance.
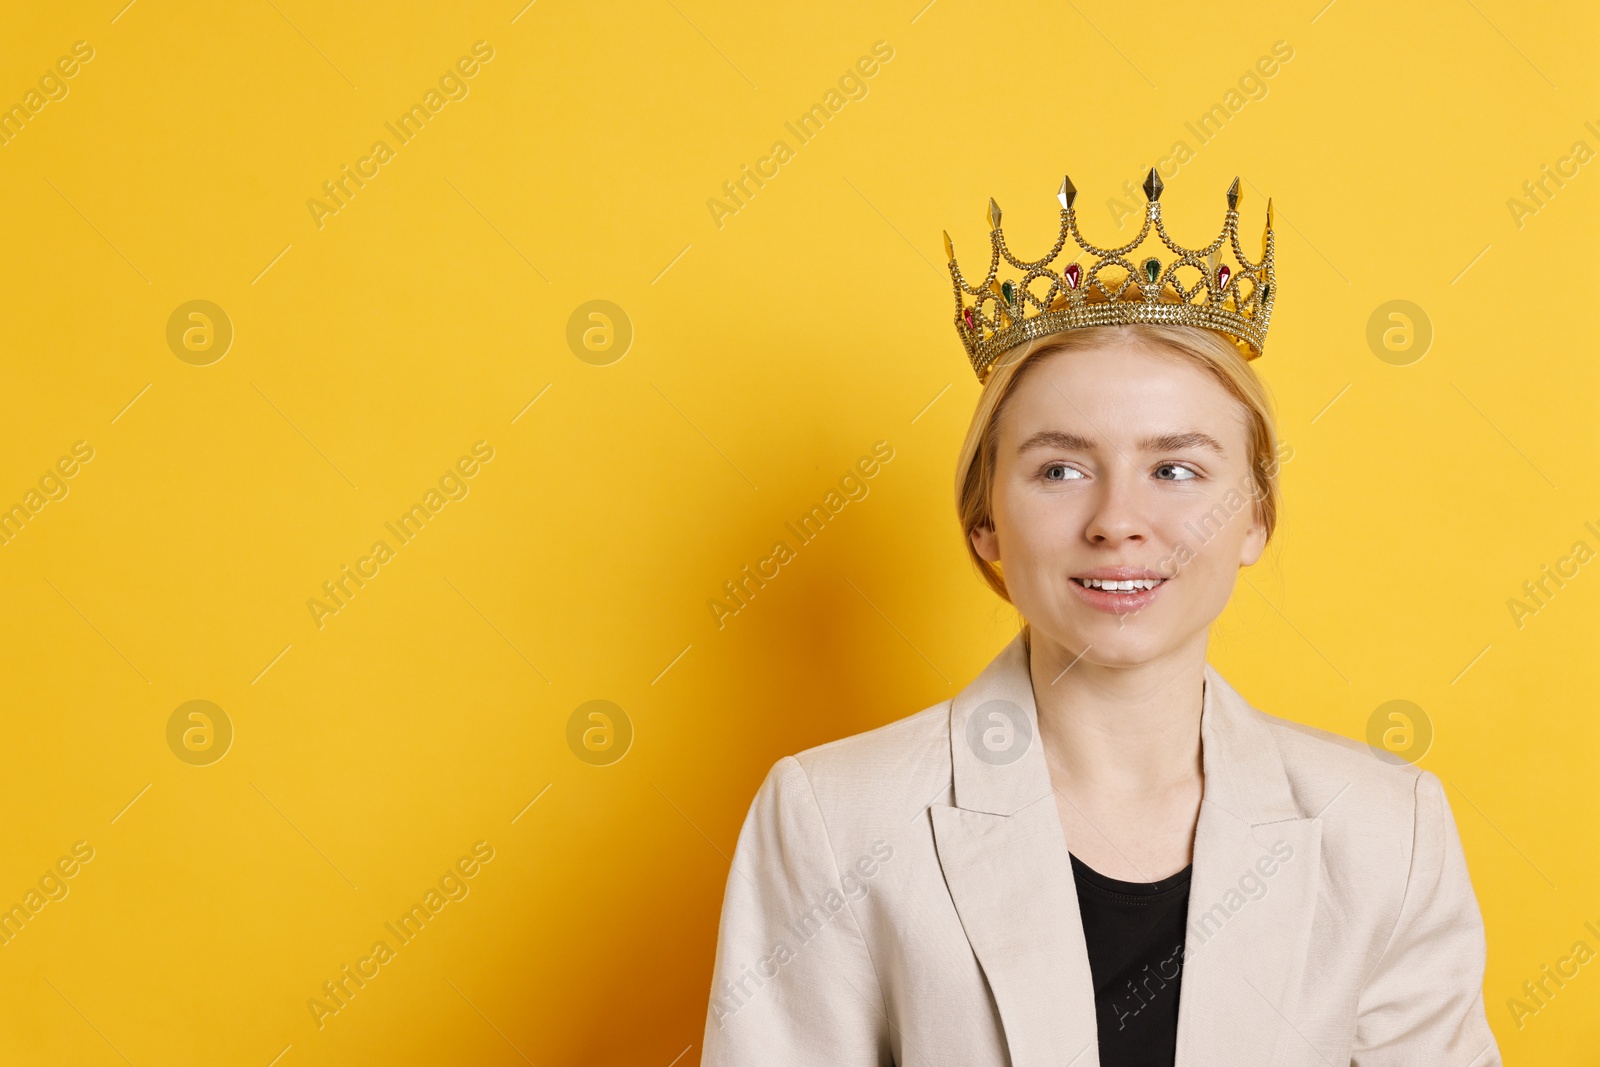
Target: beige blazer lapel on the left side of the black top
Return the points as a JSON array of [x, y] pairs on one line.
[[1006, 863]]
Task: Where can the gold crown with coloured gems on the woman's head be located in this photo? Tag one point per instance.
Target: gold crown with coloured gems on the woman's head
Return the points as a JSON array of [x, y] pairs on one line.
[[1188, 287]]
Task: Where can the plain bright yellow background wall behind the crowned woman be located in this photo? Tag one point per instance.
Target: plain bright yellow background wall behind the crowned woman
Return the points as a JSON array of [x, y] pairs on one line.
[[769, 356]]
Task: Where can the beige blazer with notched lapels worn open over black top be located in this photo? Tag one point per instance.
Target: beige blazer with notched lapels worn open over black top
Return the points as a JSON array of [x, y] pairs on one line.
[[905, 897]]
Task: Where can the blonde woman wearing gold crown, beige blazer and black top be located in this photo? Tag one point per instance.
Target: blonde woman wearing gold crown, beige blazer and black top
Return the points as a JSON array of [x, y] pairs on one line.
[[1100, 853]]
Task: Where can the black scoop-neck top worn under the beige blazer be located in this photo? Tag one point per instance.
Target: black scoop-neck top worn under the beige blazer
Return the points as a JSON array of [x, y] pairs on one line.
[[1135, 935]]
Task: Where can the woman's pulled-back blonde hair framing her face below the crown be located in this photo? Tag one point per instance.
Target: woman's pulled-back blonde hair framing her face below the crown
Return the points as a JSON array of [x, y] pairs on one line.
[[1214, 353]]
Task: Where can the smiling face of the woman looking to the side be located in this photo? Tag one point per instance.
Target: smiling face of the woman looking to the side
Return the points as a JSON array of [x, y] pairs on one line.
[[1121, 465]]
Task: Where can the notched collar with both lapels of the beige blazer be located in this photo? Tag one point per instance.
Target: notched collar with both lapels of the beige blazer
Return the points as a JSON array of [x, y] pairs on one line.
[[1009, 873]]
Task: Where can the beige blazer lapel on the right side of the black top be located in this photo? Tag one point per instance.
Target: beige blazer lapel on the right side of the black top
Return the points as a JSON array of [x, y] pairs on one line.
[[1252, 897]]
